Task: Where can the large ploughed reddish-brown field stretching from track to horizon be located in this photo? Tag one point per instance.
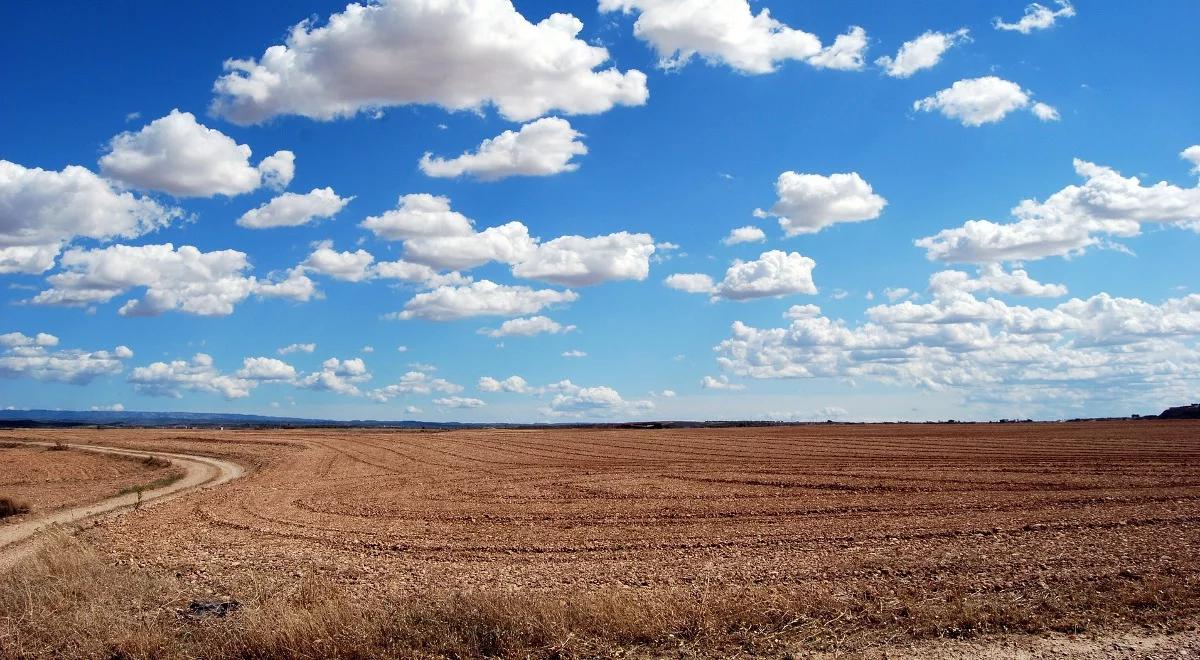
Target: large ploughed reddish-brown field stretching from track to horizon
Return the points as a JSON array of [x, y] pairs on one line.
[[917, 532]]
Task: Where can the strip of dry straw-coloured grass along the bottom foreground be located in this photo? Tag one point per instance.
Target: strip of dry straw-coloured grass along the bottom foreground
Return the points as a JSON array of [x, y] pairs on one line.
[[68, 602]]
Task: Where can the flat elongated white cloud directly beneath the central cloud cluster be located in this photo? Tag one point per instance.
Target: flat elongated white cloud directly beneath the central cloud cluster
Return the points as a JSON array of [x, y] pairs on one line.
[[482, 298]]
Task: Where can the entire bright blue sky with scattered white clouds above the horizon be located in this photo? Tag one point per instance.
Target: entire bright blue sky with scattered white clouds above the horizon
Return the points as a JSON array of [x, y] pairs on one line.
[[628, 152]]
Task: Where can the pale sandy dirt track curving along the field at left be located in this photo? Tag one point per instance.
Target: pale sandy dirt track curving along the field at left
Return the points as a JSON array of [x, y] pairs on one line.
[[200, 472]]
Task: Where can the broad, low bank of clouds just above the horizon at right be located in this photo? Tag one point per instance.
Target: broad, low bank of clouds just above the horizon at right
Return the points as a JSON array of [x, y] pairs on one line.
[[986, 347]]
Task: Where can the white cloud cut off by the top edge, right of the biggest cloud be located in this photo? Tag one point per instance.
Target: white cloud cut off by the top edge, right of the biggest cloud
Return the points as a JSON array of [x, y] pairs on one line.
[[728, 32]]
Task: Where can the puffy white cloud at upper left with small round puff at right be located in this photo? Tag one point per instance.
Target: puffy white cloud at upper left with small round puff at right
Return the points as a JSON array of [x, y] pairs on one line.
[[178, 155]]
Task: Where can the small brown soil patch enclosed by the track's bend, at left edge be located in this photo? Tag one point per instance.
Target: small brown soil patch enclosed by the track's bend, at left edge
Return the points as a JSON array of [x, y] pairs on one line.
[[50, 481]]
